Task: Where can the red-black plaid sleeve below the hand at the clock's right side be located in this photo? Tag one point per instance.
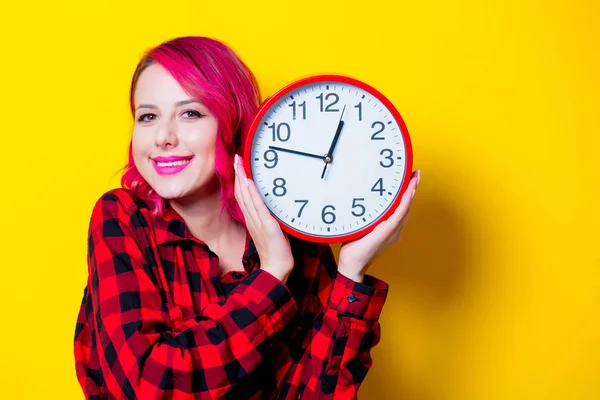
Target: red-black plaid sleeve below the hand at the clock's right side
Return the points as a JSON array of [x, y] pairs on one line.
[[344, 333]]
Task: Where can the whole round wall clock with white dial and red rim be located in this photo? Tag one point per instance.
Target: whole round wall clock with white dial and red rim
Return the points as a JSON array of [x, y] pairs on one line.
[[330, 157]]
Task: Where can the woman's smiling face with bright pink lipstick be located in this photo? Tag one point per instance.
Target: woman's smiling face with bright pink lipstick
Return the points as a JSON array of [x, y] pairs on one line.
[[174, 136]]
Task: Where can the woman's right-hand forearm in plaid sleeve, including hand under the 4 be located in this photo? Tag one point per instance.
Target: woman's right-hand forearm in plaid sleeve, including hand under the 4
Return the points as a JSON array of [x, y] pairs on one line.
[[348, 328]]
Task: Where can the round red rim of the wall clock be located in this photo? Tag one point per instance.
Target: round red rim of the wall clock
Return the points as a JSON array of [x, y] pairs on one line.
[[266, 105]]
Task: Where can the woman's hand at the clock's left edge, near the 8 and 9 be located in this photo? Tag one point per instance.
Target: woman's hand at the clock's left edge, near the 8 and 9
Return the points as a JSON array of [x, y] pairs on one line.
[[272, 245]]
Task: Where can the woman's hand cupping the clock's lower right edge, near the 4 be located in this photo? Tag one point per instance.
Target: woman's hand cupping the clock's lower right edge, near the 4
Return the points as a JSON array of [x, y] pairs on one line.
[[356, 256]]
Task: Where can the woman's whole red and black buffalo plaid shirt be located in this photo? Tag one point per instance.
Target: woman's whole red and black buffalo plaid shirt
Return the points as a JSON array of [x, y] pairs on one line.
[[157, 322]]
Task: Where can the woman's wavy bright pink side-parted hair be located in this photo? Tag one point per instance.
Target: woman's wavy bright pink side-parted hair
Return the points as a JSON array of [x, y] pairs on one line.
[[211, 72]]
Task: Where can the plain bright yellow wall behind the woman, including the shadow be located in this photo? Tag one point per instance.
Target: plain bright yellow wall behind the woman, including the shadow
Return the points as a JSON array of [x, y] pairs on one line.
[[495, 287]]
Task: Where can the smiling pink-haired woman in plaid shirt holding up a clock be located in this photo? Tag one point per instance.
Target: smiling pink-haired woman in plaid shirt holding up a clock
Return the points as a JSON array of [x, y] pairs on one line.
[[193, 289]]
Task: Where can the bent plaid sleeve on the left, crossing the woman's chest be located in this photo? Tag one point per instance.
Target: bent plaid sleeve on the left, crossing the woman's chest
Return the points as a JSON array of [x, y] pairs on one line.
[[141, 354]]
